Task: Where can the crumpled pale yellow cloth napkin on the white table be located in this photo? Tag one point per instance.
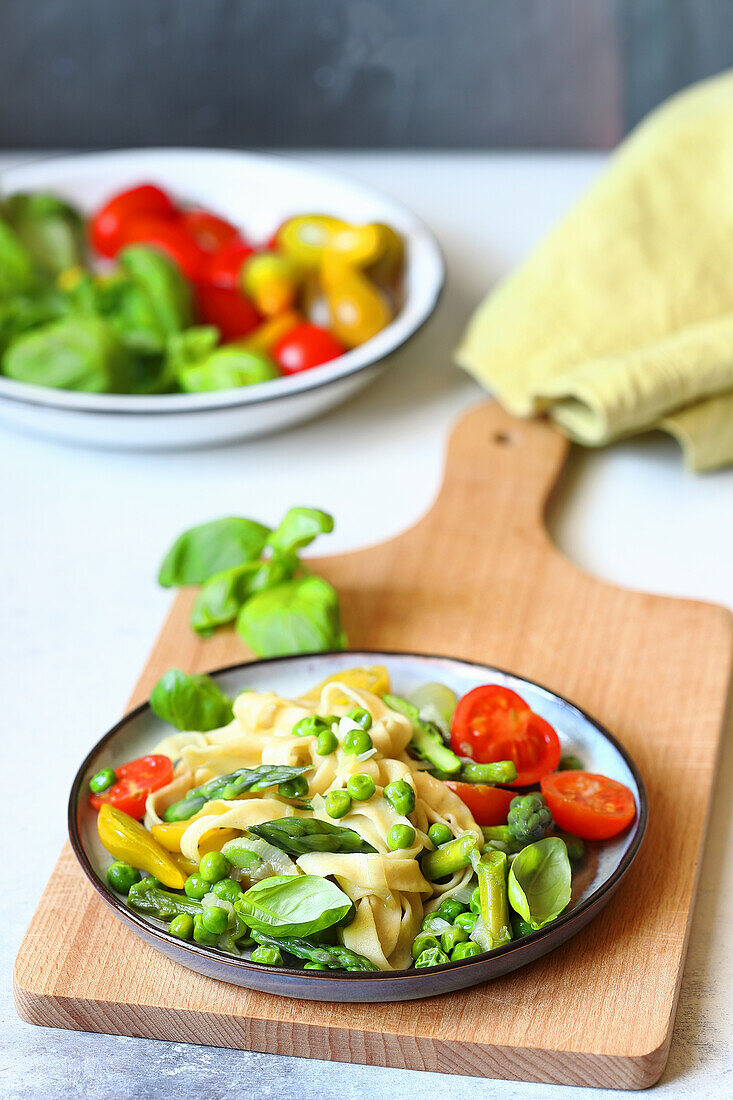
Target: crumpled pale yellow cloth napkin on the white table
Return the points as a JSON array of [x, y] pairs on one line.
[[622, 320]]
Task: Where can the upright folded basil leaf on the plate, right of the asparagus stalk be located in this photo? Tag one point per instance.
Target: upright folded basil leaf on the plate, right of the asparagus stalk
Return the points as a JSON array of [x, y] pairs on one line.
[[540, 882]]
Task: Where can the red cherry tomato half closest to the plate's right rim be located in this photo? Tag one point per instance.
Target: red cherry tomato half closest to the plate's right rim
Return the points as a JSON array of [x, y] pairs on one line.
[[594, 808]]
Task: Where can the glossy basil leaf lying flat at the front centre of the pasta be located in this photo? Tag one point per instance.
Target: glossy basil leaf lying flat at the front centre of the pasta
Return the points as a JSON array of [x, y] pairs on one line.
[[293, 905]]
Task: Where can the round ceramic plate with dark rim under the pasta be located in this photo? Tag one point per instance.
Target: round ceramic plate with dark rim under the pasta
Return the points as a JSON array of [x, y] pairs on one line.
[[594, 883]]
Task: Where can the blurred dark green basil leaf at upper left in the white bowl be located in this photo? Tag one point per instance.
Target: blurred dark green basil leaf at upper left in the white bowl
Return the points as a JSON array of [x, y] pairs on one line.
[[49, 228]]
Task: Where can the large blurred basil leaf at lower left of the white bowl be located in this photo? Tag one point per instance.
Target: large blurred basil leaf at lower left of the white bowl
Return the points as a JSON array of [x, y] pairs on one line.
[[80, 354]]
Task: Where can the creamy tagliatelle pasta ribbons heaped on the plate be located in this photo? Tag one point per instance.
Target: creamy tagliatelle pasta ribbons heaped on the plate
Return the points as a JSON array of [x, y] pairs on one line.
[[388, 888]]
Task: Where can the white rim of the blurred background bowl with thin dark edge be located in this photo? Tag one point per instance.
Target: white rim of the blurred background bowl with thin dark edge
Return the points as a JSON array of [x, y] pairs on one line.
[[54, 170]]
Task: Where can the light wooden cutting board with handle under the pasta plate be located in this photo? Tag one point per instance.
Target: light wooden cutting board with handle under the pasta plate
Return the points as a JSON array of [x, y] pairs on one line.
[[478, 578]]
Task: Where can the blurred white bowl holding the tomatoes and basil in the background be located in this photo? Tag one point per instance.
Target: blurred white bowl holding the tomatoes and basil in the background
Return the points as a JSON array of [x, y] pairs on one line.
[[256, 192]]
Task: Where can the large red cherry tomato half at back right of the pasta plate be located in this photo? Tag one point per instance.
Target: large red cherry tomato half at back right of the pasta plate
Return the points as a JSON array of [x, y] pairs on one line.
[[494, 723]]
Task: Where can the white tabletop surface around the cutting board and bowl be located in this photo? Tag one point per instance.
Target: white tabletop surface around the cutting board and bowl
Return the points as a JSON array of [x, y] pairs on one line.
[[84, 533]]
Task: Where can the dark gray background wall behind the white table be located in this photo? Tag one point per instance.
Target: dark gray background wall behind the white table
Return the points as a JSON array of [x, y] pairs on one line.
[[348, 73]]
